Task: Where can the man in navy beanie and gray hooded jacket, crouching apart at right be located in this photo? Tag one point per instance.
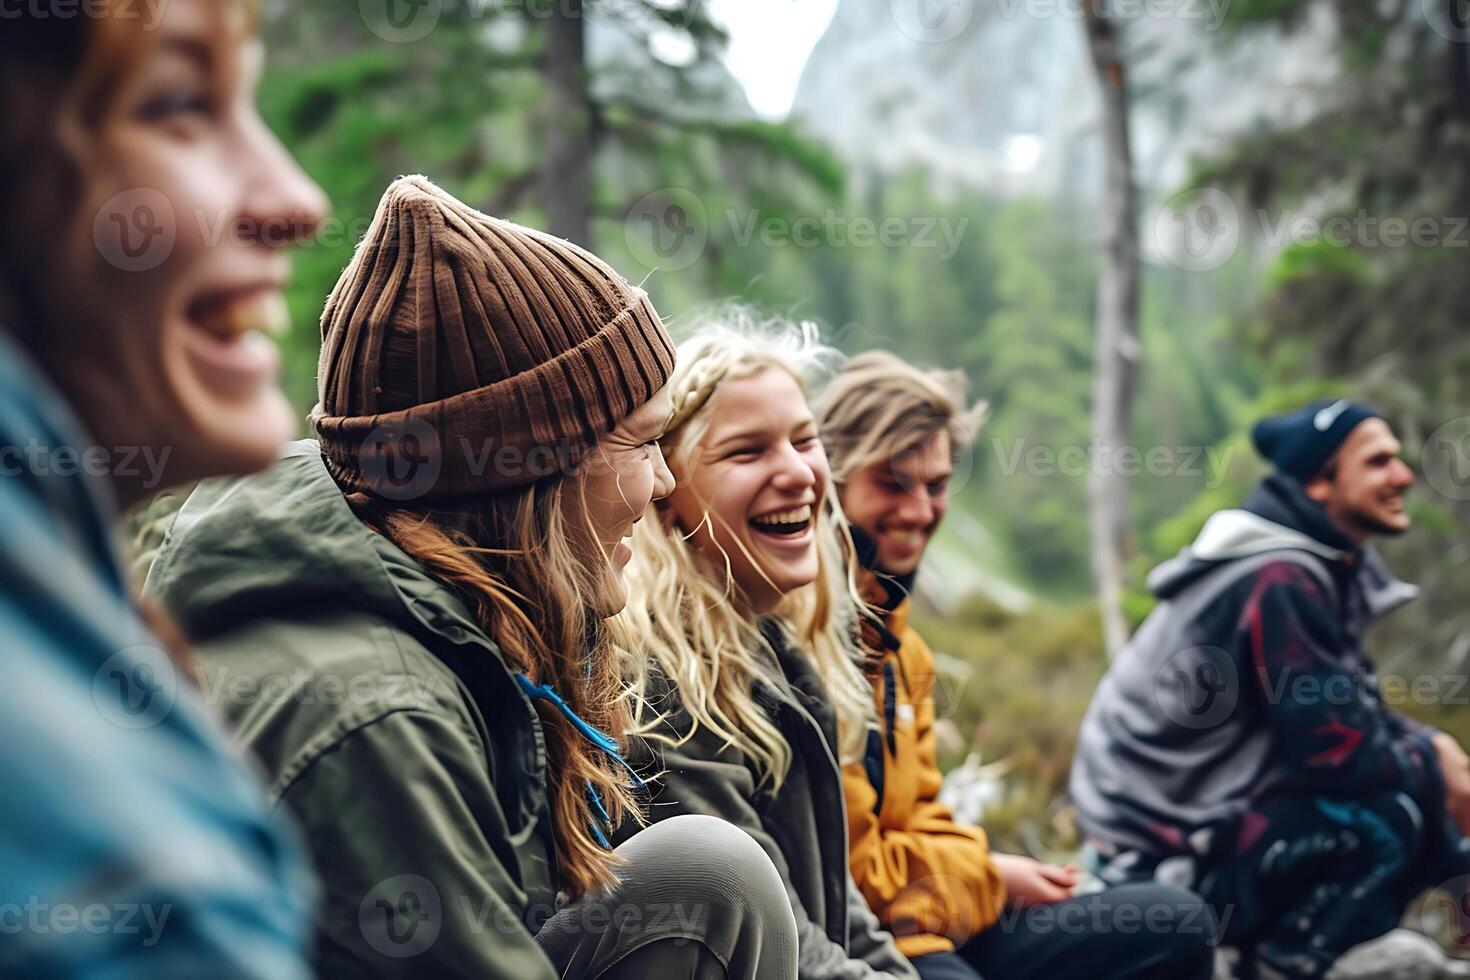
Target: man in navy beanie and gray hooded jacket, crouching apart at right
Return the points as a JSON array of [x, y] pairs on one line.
[[1240, 744]]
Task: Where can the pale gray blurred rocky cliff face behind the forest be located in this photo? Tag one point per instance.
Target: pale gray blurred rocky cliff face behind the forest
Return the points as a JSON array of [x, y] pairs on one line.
[[1000, 96]]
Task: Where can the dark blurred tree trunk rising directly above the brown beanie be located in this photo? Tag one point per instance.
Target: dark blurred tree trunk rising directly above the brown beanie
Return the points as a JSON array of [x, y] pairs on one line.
[[567, 183]]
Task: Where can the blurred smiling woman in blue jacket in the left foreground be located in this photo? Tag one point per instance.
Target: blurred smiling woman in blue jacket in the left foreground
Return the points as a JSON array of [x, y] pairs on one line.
[[135, 841]]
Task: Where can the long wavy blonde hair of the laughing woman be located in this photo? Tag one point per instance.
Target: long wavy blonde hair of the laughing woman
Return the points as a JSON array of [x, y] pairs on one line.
[[696, 627]]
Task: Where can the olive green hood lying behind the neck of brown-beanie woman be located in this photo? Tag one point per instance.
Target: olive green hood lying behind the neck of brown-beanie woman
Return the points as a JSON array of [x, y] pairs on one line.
[[286, 538]]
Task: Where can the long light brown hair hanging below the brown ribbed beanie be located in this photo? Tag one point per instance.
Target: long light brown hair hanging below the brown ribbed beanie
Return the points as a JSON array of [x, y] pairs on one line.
[[526, 571]]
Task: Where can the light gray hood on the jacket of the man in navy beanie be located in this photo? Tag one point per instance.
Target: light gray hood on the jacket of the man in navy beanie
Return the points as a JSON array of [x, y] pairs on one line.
[[1278, 516]]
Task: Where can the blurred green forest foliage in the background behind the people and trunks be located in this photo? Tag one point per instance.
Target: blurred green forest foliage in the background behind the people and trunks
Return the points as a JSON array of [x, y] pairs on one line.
[[1006, 293]]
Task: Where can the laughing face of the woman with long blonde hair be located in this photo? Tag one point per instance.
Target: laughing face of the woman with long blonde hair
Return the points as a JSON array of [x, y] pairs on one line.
[[752, 486]]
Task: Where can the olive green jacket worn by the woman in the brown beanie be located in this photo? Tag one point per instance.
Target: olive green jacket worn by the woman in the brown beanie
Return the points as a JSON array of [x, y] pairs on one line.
[[329, 653]]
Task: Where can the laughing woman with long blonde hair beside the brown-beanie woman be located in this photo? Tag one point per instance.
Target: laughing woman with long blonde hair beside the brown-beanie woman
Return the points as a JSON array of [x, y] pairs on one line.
[[740, 603]]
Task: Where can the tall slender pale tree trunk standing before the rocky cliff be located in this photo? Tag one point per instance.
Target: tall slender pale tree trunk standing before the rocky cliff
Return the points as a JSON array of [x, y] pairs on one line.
[[1118, 347]]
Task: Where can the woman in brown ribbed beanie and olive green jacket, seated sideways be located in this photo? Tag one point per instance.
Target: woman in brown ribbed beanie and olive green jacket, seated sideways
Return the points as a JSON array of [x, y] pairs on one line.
[[408, 621]]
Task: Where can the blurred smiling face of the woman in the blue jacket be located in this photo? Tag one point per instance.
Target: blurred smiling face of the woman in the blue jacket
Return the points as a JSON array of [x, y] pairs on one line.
[[162, 289]]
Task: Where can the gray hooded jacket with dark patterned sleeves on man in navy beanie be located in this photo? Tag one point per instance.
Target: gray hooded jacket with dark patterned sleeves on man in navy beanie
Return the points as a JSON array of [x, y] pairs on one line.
[[1249, 680]]
